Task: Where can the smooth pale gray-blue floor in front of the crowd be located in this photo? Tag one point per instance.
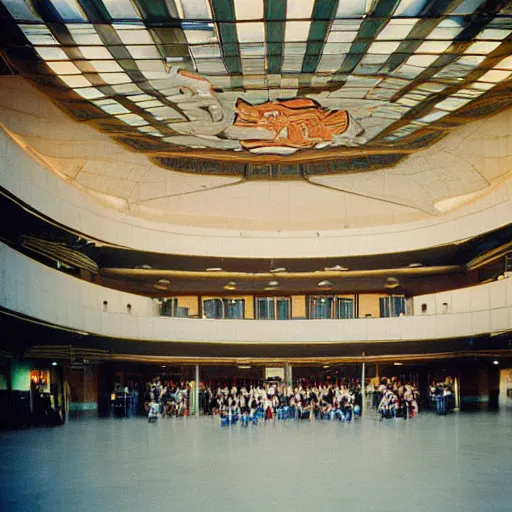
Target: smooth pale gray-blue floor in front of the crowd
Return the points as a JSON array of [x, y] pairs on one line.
[[459, 462]]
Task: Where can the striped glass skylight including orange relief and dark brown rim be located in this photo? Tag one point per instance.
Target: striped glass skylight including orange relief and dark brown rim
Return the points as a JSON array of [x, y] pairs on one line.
[[266, 88]]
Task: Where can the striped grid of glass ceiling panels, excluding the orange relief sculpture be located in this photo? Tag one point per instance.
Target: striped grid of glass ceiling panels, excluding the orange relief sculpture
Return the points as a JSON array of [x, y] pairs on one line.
[[421, 59]]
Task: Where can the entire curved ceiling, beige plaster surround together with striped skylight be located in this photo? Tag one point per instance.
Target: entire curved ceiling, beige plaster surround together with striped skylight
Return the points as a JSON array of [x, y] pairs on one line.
[[265, 115]]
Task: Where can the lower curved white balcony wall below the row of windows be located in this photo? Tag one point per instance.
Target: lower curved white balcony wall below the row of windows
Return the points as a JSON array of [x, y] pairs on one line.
[[33, 289]]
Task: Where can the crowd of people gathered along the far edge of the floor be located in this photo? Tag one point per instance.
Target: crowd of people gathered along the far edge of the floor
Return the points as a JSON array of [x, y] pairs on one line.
[[342, 400]]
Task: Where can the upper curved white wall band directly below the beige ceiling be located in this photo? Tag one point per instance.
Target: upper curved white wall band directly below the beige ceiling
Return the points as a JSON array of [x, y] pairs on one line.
[[34, 184]]
